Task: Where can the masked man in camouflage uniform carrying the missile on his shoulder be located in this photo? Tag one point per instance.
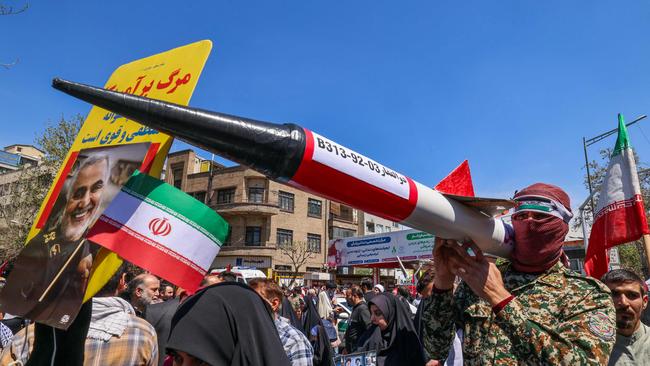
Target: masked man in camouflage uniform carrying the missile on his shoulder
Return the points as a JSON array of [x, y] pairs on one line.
[[532, 310]]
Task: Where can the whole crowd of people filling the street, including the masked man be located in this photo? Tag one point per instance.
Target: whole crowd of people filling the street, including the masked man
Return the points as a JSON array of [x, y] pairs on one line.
[[465, 309]]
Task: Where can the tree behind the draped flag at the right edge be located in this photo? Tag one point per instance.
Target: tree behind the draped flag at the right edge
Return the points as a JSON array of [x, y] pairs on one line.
[[632, 255]]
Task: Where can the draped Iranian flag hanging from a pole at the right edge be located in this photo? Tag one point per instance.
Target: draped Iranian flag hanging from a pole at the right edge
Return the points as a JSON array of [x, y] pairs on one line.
[[620, 216]]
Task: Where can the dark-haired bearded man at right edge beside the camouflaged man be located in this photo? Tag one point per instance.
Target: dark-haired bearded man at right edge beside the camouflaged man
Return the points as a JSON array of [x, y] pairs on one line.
[[630, 297]]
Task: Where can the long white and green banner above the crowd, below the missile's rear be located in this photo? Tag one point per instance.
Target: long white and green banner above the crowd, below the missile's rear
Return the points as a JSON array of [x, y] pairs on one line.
[[381, 249]]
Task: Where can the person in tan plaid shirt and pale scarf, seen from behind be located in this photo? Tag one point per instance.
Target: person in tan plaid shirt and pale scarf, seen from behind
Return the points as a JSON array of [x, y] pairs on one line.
[[116, 336]]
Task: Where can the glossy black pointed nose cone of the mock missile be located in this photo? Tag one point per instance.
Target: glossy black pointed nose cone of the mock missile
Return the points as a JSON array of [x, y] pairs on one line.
[[274, 150]]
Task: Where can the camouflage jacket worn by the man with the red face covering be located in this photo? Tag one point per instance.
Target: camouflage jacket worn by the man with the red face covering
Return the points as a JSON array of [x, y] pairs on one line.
[[558, 317]]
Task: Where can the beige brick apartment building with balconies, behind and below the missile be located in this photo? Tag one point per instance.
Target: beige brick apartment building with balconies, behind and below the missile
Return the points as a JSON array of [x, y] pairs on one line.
[[263, 215]]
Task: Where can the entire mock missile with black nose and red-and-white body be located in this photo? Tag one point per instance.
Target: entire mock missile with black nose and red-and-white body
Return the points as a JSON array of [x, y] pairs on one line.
[[298, 157]]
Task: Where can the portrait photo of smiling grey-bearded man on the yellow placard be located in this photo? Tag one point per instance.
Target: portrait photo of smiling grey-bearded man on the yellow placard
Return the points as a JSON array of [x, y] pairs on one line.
[[50, 275]]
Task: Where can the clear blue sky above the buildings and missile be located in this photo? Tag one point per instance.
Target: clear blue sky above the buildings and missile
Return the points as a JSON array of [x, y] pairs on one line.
[[513, 86]]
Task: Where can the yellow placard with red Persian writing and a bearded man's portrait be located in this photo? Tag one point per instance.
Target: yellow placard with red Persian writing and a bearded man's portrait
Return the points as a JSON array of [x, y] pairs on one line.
[[58, 266]]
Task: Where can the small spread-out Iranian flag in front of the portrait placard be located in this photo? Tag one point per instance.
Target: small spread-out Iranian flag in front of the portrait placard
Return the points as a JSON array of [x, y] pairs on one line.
[[161, 229]]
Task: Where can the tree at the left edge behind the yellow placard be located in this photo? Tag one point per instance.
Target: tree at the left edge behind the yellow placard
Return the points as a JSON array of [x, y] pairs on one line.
[[30, 185]]
